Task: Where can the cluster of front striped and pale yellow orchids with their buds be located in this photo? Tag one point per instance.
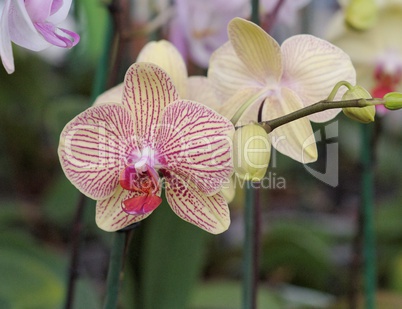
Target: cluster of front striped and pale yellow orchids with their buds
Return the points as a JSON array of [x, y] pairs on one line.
[[162, 130]]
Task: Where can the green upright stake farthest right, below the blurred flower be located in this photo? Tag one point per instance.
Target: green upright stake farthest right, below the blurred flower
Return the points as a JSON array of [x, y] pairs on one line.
[[368, 216]]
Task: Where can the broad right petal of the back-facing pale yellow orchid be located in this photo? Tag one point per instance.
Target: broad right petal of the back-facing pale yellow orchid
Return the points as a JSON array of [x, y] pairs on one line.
[[312, 67]]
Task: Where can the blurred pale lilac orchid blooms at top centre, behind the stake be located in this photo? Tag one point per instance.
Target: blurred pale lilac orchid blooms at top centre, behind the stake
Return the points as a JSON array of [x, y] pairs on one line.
[[199, 27]]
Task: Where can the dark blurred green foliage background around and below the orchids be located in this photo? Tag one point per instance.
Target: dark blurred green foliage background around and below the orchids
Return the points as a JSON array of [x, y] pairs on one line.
[[308, 256]]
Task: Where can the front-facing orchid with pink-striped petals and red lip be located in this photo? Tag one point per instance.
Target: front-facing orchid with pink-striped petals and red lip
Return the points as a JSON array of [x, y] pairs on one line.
[[118, 153]]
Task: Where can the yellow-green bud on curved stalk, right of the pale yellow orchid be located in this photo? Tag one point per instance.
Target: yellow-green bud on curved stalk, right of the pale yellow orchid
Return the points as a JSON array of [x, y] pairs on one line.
[[362, 114]]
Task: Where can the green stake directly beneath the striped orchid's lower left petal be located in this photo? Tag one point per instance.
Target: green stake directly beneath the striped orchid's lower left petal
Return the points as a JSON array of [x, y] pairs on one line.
[[115, 274]]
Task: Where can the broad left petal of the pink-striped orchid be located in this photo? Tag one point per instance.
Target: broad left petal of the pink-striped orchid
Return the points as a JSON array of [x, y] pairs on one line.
[[94, 148]]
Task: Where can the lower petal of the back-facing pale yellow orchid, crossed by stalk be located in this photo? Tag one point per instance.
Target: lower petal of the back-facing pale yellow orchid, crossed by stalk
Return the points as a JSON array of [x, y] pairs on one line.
[[295, 139]]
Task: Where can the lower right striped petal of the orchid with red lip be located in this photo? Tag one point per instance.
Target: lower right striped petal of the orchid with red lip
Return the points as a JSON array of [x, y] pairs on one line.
[[210, 213]]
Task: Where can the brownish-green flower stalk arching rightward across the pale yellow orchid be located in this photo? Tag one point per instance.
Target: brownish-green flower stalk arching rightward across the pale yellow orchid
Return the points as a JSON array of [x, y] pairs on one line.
[[271, 125]]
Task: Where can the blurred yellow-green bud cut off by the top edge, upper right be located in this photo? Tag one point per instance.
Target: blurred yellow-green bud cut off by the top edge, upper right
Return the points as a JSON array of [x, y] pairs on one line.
[[361, 14]]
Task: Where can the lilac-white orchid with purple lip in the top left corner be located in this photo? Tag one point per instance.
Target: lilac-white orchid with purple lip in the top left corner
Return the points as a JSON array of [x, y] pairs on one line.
[[32, 24]]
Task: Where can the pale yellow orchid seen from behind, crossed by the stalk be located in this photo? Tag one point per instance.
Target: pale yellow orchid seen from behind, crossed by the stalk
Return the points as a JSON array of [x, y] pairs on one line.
[[253, 68]]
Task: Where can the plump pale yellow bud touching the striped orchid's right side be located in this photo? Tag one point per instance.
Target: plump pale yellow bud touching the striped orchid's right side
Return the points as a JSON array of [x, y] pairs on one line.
[[251, 152]]
